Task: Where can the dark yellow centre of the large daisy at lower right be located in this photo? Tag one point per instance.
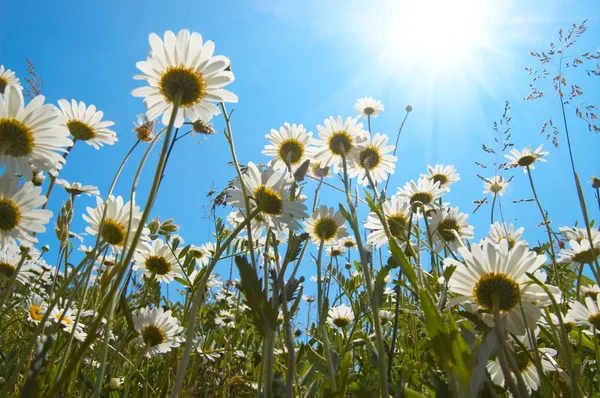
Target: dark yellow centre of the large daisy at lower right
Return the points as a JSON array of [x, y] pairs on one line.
[[496, 287]]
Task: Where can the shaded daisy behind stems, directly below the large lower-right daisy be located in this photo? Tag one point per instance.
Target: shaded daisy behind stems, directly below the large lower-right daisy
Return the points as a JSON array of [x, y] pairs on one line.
[[526, 366]]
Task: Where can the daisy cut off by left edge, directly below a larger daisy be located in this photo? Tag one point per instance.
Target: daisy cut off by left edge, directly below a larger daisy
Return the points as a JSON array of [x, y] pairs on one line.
[[19, 212]]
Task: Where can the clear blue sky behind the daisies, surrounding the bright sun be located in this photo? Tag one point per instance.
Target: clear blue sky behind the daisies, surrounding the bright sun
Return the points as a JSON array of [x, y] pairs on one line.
[[301, 62]]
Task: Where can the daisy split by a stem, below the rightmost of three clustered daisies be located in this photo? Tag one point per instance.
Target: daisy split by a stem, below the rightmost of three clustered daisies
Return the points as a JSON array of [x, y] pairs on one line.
[[397, 212]]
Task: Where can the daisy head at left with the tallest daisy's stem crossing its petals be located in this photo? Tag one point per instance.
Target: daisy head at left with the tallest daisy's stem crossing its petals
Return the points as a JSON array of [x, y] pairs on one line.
[[114, 228]]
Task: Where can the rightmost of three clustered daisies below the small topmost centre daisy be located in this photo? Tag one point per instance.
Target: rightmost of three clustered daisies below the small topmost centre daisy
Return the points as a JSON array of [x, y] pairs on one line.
[[372, 156]]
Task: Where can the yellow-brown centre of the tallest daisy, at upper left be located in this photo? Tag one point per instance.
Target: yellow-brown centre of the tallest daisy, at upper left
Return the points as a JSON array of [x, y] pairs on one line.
[[184, 81]]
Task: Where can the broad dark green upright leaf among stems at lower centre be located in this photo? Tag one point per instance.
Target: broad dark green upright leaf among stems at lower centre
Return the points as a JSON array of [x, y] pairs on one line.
[[265, 318]]
